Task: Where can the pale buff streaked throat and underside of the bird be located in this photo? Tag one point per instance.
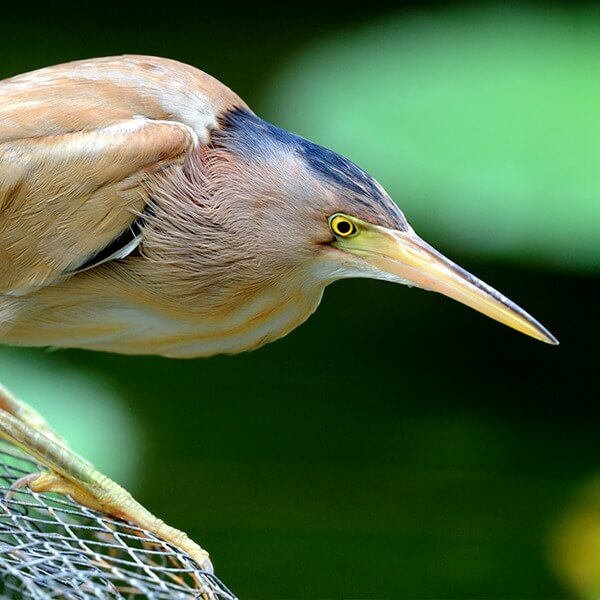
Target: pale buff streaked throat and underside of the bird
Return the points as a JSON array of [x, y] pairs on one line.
[[143, 324]]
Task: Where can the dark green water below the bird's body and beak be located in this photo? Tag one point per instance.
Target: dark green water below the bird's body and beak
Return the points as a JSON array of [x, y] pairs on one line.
[[428, 457]]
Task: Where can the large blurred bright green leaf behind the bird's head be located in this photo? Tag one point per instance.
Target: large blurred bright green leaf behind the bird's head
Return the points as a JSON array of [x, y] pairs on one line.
[[482, 123]]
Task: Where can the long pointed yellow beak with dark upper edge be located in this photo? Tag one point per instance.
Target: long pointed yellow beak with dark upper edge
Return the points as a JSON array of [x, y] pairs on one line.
[[405, 256]]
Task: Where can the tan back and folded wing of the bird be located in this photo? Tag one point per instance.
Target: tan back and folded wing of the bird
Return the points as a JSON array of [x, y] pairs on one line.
[[77, 143]]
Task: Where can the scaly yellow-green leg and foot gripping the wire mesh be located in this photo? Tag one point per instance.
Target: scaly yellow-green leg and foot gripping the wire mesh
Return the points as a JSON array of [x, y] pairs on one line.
[[72, 475]]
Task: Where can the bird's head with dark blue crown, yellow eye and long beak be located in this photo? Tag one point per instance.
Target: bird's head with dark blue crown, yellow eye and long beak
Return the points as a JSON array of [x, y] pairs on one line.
[[310, 205]]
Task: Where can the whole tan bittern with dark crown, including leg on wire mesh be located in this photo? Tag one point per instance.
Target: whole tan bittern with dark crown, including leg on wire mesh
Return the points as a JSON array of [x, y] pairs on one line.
[[145, 209]]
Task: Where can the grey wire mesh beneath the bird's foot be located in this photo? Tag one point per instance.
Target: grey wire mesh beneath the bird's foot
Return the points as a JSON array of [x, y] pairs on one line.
[[52, 547]]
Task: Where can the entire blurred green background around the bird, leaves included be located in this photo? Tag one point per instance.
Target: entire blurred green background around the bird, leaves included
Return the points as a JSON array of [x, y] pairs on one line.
[[437, 454]]
